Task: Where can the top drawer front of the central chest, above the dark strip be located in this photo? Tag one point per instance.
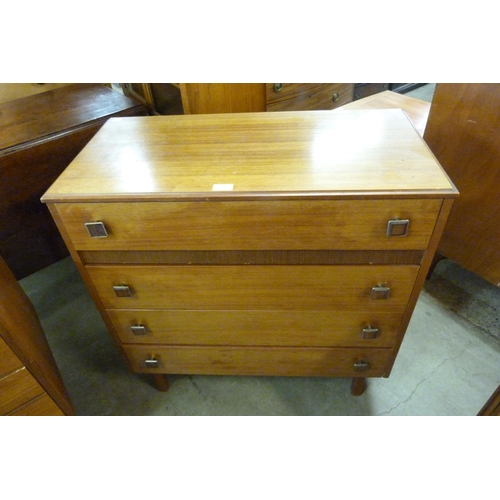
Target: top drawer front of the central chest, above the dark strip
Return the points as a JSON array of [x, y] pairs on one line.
[[251, 225]]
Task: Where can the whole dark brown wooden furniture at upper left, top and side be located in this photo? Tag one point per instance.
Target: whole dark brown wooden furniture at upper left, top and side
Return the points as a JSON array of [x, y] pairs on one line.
[[41, 135]]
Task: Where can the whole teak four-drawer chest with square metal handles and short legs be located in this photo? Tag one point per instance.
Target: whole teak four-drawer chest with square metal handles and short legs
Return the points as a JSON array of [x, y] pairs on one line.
[[293, 243]]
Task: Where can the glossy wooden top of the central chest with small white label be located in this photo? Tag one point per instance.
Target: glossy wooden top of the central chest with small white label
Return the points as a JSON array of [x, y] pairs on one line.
[[253, 155]]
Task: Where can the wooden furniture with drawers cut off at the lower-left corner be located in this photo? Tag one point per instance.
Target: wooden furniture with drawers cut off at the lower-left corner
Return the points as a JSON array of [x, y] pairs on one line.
[[30, 383]]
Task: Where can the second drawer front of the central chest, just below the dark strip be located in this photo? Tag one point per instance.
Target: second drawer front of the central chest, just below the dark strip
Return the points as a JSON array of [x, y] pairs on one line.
[[252, 287]]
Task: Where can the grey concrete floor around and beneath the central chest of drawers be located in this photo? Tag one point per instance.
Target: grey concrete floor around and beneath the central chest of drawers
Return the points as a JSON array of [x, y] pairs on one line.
[[449, 363]]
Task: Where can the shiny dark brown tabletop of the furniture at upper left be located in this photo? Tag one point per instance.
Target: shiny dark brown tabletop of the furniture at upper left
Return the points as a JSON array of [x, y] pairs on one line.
[[30, 119]]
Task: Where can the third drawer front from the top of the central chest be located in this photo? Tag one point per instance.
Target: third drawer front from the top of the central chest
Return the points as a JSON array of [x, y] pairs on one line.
[[258, 328]]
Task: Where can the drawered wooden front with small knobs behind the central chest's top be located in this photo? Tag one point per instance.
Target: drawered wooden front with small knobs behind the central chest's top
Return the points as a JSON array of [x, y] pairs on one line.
[[307, 96]]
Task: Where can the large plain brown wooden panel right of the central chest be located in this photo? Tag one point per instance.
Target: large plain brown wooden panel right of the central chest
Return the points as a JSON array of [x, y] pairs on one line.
[[463, 132]]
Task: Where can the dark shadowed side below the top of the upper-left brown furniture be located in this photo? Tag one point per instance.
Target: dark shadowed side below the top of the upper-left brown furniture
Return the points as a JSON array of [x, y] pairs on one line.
[[29, 239]]
